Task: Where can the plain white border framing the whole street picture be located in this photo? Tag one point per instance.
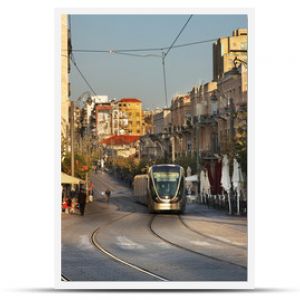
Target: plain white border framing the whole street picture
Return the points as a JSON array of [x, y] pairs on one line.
[[175, 285]]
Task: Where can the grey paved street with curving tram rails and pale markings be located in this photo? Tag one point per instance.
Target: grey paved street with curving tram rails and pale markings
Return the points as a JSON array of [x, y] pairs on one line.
[[121, 241]]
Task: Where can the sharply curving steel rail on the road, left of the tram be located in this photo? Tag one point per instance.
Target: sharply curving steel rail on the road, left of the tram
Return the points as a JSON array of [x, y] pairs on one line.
[[101, 249]]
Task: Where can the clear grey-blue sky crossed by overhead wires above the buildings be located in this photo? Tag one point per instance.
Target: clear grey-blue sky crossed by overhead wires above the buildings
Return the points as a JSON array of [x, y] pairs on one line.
[[126, 76]]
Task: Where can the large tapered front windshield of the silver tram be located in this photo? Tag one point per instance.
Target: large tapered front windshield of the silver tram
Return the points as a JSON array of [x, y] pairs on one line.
[[166, 180]]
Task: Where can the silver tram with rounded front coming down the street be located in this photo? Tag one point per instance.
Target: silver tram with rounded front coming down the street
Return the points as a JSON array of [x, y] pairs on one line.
[[162, 189]]
